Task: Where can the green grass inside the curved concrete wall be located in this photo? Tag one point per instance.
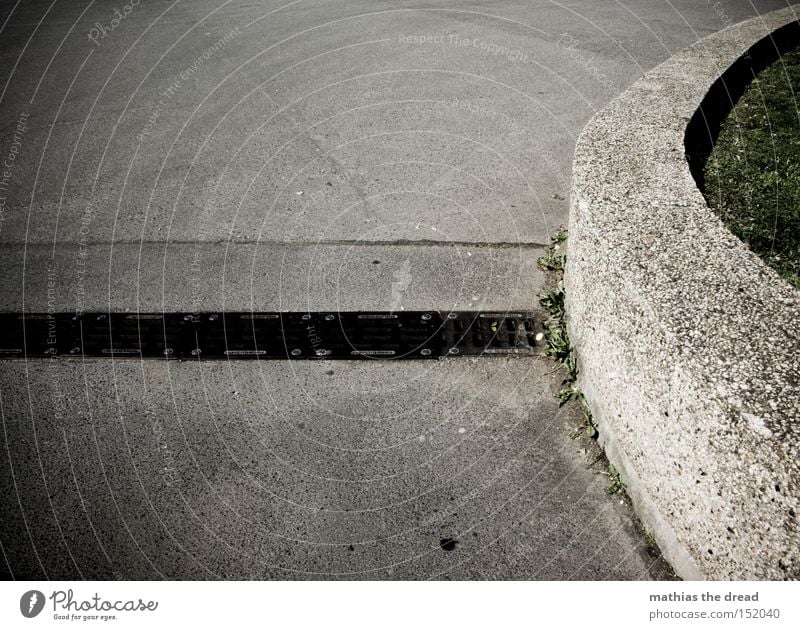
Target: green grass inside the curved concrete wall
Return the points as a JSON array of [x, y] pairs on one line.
[[753, 176]]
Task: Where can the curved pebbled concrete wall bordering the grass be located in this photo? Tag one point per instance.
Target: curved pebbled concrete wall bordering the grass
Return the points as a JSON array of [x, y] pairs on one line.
[[687, 343]]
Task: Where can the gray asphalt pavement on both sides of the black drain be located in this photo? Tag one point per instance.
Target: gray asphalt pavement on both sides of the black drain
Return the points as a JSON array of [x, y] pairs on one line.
[[229, 155]]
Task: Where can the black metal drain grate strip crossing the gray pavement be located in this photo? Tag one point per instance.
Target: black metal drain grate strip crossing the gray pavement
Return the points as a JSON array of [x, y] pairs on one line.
[[258, 335]]
